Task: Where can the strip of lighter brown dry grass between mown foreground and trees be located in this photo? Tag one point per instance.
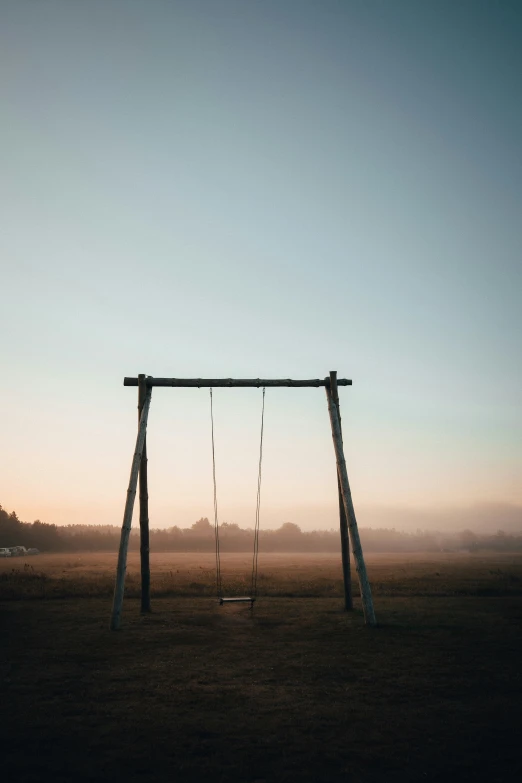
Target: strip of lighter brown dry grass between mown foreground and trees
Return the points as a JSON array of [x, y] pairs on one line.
[[302, 575]]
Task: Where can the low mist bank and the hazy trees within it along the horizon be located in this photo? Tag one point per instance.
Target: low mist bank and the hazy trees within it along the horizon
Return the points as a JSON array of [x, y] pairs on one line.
[[466, 534]]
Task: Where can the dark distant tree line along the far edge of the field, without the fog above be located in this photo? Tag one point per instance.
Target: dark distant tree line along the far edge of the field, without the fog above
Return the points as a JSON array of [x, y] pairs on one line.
[[200, 538]]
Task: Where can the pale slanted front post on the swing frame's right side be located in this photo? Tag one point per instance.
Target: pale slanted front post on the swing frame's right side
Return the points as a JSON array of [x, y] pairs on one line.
[[366, 593]]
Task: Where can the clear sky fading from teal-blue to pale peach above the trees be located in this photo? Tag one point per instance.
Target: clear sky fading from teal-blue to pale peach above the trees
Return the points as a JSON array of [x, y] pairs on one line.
[[237, 188]]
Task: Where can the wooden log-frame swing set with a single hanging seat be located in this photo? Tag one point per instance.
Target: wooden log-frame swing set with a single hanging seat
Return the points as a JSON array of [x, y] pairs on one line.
[[347, 521]]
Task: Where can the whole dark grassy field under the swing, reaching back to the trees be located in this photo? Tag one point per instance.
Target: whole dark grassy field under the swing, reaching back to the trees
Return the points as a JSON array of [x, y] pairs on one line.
[[298, 690]]
